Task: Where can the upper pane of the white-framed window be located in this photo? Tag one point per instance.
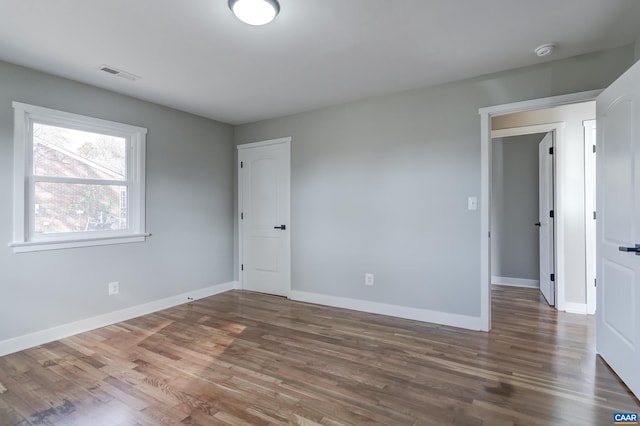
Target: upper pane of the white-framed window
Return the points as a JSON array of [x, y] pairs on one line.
[[58, 151]]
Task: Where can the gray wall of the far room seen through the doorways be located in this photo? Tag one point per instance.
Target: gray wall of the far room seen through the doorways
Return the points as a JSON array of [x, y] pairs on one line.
[[515, 246]]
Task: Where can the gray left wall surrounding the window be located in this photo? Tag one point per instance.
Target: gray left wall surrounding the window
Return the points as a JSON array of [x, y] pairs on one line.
[[189, 212]]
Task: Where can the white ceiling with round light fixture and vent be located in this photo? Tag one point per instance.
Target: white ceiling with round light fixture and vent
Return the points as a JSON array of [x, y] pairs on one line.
[[194, 55]]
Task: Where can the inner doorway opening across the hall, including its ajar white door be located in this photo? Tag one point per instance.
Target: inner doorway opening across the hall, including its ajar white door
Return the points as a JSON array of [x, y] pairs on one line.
[[522, 222]]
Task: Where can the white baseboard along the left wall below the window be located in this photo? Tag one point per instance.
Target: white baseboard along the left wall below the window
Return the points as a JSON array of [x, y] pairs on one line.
[[37, 338]]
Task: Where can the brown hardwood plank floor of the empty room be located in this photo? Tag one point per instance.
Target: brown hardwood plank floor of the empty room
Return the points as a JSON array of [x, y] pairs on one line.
[[245, 358]]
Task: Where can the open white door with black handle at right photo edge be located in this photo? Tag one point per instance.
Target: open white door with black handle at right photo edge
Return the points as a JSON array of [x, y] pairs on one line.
[[618, 227]]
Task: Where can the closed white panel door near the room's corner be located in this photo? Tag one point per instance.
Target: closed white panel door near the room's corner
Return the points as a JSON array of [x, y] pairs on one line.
[[264, 196]]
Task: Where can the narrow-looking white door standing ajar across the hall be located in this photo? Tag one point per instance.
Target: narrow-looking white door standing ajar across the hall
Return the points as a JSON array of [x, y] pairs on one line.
[[545, 219]]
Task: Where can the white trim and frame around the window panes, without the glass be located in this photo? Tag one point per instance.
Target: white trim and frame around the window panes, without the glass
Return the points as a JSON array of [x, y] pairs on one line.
[[23, 240]]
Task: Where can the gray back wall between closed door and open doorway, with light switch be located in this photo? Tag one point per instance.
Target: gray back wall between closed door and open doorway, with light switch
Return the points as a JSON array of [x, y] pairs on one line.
[[381, 185]]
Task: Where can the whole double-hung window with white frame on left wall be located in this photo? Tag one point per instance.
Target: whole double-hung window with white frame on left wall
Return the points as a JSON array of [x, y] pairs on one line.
[[78, 181]]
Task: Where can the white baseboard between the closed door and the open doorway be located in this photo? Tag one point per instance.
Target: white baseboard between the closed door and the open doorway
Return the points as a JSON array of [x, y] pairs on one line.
[[436, 317]]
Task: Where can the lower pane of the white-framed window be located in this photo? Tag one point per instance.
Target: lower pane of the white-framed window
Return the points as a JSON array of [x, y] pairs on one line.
[[63, 207]]
